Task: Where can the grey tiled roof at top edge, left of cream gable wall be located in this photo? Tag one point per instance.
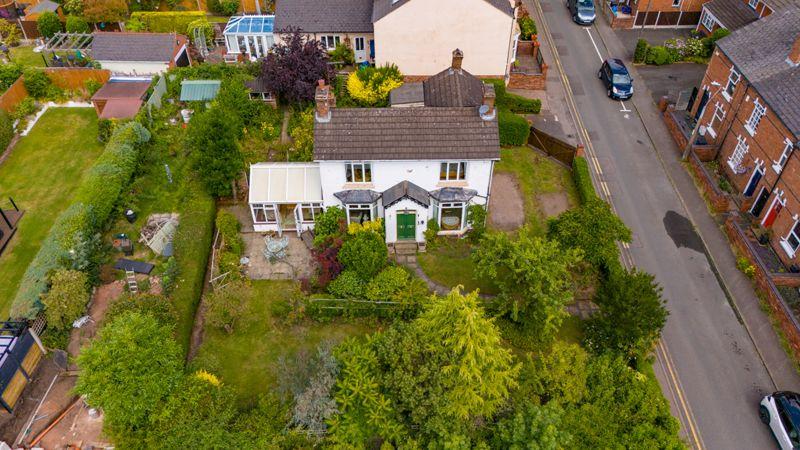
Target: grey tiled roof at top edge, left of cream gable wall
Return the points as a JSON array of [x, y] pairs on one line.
[[314, 16]]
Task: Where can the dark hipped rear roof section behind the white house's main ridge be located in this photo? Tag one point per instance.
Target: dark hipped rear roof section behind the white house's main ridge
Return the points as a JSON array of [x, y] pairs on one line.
[[452, 87]]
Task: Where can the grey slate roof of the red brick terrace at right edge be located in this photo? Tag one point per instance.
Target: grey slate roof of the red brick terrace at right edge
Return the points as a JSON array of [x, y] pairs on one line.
[[759, 51]]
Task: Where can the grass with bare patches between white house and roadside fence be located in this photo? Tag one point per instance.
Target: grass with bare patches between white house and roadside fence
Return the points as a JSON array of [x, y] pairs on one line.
[[536, 174]]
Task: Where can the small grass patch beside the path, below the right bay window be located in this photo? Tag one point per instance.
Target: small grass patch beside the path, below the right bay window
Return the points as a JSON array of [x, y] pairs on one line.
[[448, 263]]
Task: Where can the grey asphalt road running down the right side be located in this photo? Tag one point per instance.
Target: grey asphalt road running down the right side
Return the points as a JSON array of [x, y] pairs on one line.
[[709, 369]]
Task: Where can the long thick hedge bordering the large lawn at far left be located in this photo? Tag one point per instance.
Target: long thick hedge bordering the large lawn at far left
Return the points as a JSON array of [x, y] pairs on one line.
[[94, 203]]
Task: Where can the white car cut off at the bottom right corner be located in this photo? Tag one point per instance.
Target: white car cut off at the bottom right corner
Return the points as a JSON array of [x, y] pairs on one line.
[[781, 411]]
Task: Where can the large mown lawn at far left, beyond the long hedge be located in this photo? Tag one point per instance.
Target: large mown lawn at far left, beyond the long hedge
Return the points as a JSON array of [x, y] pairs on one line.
[[42, 174]]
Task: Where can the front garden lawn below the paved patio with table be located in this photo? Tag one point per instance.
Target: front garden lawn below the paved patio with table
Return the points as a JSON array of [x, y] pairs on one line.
[[250, 359]]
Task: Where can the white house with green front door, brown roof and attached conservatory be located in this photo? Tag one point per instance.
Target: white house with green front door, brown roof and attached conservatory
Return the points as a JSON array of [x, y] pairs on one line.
[[407, 165]]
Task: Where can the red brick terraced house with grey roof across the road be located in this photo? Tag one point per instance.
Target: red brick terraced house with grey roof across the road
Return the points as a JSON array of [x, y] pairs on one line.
[[750, 110]]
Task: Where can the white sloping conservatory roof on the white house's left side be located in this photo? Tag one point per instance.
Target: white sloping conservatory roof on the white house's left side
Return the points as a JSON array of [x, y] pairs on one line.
[[285, 183]]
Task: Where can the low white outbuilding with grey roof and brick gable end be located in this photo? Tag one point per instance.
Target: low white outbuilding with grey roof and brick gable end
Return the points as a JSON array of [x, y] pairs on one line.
[[139, 53]]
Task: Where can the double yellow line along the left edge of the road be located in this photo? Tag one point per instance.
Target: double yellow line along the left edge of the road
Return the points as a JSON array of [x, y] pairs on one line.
[[662, 352]]
